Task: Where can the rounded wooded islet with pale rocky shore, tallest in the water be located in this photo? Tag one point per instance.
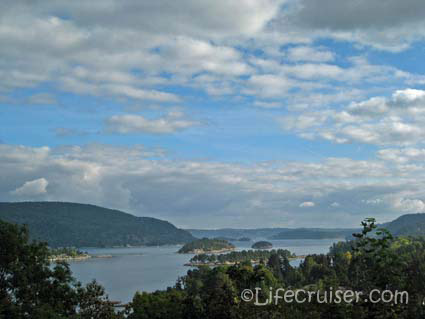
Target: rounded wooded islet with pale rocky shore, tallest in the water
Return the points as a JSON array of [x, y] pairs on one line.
[[205, 245]]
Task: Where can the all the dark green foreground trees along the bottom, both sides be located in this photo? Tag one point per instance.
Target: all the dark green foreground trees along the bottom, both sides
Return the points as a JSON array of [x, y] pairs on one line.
[[31, 287]]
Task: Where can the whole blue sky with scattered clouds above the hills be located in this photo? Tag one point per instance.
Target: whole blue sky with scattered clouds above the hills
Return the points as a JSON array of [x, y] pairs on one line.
[[221, 113]]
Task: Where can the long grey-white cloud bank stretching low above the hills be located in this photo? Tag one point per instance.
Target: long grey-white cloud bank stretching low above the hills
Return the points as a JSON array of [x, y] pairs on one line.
[[198, 193]]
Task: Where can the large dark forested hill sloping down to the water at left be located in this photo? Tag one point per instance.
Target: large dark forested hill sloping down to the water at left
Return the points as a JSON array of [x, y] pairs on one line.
[[82, 225]]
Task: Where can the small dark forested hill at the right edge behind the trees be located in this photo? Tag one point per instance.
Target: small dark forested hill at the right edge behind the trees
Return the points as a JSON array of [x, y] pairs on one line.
[[408, 225]]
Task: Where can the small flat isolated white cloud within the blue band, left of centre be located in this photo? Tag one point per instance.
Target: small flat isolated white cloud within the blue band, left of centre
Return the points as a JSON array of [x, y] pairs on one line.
[[132, 123]]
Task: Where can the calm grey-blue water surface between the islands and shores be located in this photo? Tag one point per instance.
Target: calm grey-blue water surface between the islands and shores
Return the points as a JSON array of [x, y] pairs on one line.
[[153, 268]]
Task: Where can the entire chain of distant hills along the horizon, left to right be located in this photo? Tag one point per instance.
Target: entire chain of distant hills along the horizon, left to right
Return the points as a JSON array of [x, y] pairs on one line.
[[82, 225]]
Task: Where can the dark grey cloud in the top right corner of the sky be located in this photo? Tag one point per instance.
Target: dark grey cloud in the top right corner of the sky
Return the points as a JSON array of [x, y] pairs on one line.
[[389, 25]]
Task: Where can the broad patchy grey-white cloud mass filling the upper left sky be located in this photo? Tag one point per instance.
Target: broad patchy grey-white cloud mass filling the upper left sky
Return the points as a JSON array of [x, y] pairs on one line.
[[123, 49]]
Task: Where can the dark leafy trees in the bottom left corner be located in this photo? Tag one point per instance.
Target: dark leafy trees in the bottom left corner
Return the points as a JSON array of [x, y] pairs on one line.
[[31, 288]]
